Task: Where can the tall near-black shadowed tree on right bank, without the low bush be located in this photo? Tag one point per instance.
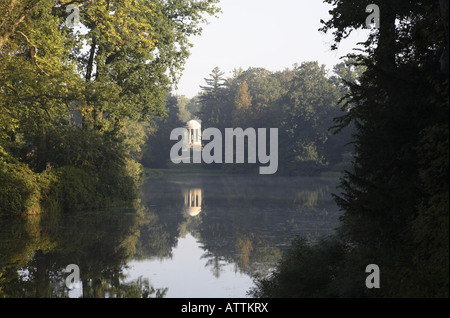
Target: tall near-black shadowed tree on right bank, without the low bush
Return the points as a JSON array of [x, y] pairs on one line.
[[397, 107]]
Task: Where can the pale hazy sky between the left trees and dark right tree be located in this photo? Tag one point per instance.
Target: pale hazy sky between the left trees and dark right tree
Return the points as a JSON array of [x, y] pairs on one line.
[[273, 34]]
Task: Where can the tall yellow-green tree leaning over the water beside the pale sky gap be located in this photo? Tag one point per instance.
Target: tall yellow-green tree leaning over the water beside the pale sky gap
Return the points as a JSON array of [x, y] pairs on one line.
[[136, 51]]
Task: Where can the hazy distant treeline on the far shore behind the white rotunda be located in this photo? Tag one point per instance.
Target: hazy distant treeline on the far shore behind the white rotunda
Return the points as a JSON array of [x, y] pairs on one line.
[[301, 102]]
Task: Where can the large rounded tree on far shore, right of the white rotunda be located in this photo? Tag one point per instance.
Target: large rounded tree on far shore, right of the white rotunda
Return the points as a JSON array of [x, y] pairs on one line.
[[309, 105]]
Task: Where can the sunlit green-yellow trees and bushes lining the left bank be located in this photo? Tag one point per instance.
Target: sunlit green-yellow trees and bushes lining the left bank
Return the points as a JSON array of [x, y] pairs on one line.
[[71, 96]]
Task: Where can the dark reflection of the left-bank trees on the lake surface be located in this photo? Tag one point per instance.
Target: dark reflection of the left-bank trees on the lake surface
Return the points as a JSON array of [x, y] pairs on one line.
[[35, 252]]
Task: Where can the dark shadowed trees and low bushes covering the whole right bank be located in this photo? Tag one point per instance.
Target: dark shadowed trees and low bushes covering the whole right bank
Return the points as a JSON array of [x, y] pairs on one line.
[[396, 198]]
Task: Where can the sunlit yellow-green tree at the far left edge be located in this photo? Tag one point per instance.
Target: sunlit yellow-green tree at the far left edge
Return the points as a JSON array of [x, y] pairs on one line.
[[37, 81]]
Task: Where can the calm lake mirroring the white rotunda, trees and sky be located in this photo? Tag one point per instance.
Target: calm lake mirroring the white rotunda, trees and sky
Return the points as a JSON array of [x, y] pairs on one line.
[[192, 235]]
